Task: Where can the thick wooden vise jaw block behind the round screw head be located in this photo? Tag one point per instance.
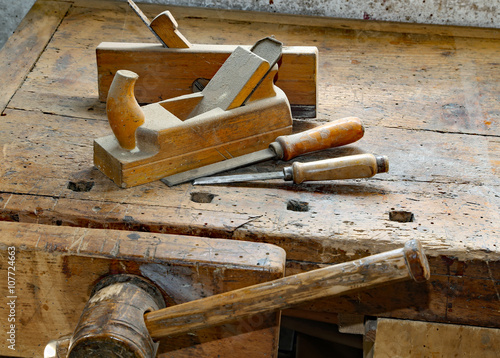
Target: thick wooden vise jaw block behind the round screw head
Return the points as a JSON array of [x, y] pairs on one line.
[[56, 269]]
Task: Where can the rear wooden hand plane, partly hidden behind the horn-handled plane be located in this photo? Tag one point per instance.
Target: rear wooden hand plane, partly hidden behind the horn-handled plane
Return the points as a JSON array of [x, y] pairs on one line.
[[174, 66]]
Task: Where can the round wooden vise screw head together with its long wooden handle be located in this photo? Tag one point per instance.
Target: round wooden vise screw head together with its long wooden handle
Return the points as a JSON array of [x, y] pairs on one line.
[[124, 316]]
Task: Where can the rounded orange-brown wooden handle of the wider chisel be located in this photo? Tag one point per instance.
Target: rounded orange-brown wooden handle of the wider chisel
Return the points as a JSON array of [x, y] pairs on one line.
[[334, 134]]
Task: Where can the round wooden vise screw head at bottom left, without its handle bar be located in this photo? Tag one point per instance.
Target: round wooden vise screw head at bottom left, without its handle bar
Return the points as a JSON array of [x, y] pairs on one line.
[[112, 321]]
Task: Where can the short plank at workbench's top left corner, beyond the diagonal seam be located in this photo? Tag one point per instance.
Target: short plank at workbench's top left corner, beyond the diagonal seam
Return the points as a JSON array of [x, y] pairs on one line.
[[21, 51]]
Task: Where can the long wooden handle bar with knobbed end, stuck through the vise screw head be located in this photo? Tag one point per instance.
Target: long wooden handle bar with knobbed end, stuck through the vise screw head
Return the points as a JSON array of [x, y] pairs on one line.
[[336, 280]]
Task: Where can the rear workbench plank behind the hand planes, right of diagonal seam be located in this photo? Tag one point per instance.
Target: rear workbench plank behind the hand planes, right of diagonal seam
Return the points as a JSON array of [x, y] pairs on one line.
[[411, 81]]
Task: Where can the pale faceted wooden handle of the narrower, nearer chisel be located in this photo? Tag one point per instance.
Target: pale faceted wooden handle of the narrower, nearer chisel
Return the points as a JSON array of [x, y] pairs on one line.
[[349, 167]]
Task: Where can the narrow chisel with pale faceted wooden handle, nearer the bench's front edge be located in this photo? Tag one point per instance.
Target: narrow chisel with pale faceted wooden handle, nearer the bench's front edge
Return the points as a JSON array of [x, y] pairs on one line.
[[349, 167]]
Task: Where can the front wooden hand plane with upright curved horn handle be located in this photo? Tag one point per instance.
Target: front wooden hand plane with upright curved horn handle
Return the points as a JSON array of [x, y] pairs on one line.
[[238, 112]]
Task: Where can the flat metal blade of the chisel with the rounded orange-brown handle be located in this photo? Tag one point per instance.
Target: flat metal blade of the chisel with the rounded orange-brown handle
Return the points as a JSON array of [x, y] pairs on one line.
[[220, 167]]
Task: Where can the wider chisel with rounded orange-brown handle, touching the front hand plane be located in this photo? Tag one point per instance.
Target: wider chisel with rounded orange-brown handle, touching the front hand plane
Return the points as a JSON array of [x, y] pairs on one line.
[[334, 134]]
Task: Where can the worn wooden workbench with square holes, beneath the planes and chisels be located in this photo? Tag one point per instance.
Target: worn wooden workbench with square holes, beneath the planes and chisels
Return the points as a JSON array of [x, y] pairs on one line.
[[429, 99]]
